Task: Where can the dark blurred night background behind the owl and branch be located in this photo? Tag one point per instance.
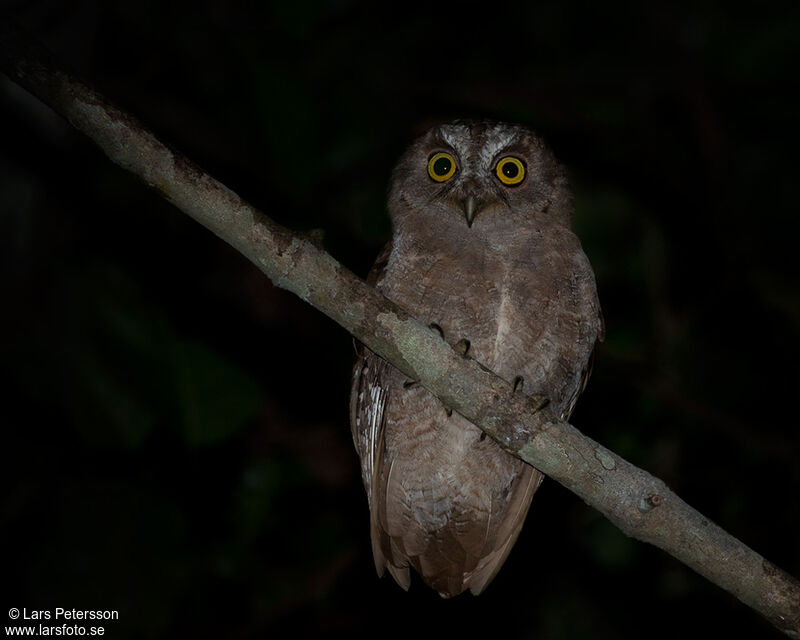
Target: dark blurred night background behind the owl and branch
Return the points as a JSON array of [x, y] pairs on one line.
[[175, 438]]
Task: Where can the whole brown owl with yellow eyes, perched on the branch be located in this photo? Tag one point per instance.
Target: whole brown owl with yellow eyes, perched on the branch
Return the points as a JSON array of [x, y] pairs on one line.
[[482, 251]]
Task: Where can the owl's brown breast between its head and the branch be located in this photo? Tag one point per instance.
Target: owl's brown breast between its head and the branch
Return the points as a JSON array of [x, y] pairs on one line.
[[521, 307]]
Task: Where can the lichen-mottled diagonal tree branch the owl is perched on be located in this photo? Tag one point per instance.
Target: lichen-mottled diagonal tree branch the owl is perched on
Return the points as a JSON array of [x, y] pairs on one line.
[[636, 502]]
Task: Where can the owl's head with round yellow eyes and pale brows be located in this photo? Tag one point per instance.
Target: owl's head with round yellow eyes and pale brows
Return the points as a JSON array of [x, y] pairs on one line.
[[480, 174]]
